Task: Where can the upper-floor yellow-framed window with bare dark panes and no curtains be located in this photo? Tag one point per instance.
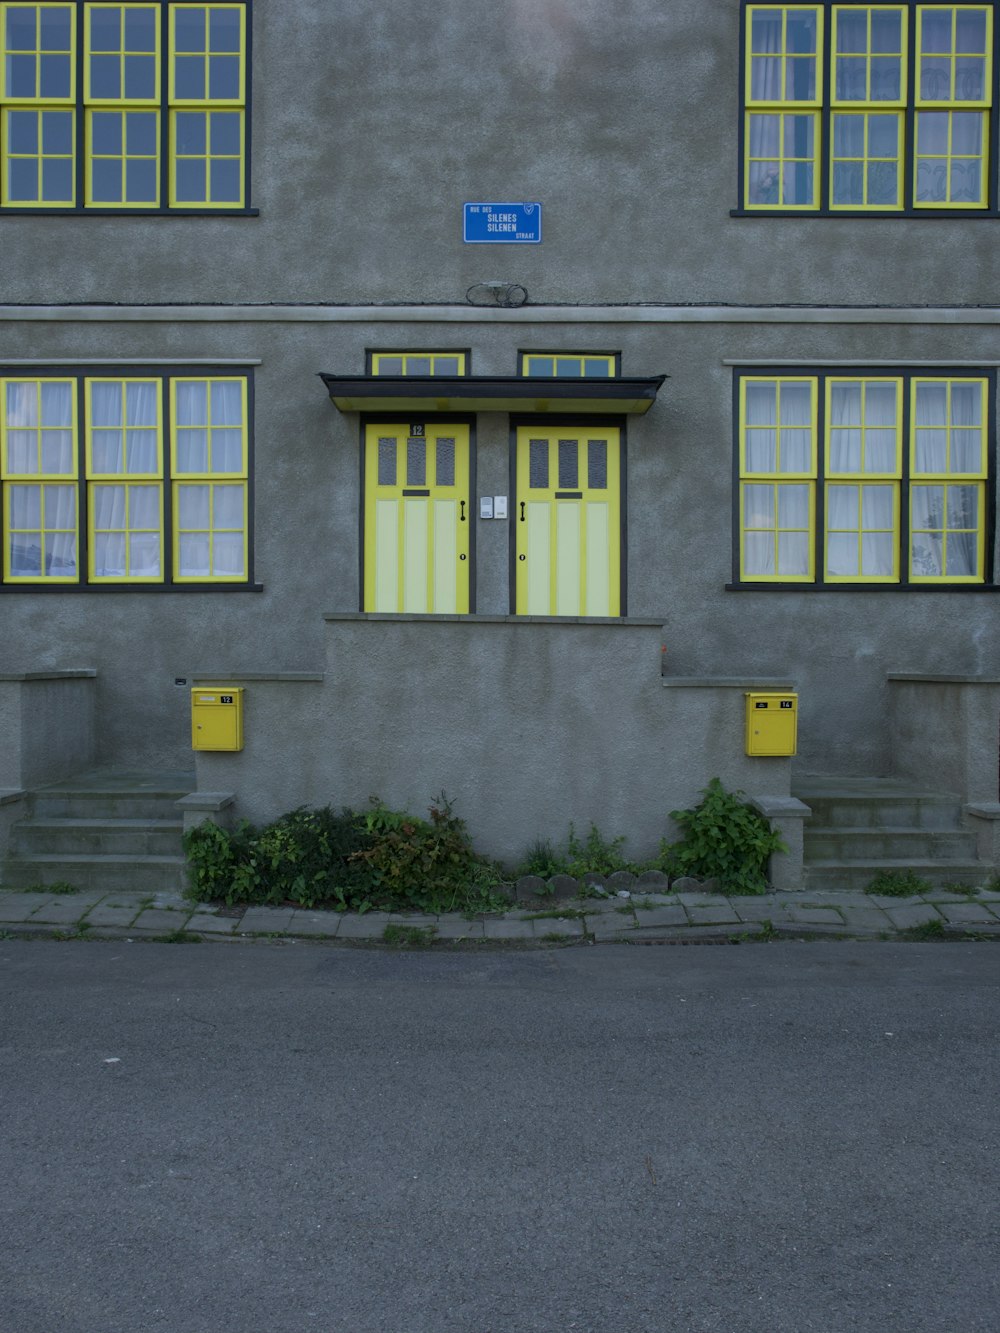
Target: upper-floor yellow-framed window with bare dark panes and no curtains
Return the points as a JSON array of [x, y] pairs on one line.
[[123, 107]]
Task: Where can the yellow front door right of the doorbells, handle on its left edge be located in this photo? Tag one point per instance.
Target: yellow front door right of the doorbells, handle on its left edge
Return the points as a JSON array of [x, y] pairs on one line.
[[569, 522]]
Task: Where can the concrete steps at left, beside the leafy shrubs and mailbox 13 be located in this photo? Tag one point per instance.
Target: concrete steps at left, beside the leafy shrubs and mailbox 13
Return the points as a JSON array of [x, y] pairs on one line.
[[103, 831]]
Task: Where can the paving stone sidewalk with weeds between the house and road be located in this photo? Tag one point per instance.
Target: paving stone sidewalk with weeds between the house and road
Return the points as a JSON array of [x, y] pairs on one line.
[[641, 919]]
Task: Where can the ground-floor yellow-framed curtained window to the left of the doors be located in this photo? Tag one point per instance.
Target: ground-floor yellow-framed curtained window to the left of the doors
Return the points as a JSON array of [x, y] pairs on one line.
[[125, 478]]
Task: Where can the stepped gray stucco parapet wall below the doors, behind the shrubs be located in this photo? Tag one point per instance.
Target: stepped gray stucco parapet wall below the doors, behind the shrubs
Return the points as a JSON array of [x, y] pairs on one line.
[[527, 727]]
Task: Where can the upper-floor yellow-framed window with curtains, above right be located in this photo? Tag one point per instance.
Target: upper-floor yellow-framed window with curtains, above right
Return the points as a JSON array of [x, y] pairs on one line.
[[869, 109]]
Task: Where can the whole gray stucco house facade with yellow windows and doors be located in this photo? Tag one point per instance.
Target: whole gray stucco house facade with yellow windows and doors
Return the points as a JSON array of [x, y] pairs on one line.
[[519, 519]]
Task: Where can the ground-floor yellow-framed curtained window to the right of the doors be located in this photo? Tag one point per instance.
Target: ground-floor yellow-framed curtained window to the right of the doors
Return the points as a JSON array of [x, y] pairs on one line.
[[858, 478]]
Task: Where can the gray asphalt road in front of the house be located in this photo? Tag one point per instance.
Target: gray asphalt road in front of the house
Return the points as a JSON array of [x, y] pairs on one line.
[[277, 1139]]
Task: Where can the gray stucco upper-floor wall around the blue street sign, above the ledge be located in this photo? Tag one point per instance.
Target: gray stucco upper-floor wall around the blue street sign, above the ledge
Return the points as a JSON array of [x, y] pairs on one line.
[[373, 126]]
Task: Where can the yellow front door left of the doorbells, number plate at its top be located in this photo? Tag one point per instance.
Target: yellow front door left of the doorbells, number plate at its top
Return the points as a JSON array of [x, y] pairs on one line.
[[417, 518]]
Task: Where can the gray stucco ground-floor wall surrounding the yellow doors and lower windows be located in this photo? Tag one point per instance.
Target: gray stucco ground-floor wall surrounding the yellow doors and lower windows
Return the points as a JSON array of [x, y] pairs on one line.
[[838, 647]]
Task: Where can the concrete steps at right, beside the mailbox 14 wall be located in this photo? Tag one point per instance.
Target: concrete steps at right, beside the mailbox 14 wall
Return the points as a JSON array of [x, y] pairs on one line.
[[869, 826]]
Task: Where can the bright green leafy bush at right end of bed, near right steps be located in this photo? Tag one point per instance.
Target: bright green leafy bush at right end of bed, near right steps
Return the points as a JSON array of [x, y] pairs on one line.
[[725, 840]]
